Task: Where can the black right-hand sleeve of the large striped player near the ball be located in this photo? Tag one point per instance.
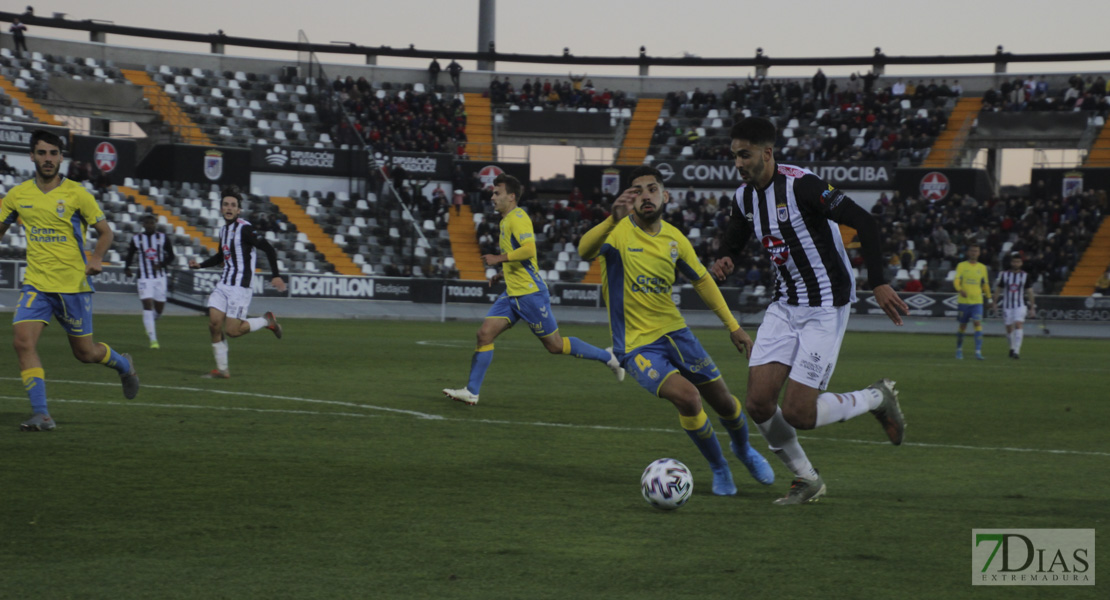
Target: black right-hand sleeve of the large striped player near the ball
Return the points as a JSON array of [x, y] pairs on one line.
[[835, 206]]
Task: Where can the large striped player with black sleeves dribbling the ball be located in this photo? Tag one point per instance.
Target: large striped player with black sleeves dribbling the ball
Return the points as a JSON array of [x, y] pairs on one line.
[[795, 216]]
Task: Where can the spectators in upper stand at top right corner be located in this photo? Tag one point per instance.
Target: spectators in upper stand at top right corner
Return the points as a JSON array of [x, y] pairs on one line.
[[1037, 95]]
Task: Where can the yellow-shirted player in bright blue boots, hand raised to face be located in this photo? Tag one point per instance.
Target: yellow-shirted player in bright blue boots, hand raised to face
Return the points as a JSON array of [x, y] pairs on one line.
[[640, 256]]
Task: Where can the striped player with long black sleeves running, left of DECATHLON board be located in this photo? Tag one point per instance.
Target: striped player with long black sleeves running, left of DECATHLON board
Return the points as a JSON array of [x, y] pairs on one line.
[[230, 301]]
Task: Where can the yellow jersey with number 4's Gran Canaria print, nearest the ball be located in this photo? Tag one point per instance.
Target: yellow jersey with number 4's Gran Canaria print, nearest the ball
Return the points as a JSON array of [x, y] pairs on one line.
[[639, 274]]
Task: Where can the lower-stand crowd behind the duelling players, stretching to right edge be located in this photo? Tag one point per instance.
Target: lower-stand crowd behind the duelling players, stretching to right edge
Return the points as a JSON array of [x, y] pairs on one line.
[[923, 240]]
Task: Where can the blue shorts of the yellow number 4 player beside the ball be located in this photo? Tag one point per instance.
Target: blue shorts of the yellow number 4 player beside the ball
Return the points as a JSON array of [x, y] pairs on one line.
[[678, 352]]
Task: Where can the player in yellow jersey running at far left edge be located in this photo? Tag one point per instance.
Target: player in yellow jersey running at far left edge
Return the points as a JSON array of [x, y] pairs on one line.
[[56, 213]]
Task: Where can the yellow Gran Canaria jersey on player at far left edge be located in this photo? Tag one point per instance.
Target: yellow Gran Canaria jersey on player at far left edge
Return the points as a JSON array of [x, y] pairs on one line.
[[56, 225]]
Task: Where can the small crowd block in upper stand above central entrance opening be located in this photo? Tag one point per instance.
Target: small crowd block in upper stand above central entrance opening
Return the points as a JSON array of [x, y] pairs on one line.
[[574, 94]]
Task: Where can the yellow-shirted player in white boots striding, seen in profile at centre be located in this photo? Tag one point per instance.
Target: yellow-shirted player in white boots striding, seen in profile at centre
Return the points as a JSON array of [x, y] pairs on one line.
[[526, 297]]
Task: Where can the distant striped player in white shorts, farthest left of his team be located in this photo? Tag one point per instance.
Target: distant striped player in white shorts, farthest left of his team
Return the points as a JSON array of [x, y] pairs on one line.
[[156, 256]]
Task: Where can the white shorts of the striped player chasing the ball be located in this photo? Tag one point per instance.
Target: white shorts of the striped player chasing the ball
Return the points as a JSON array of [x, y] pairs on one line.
[[805, 339]]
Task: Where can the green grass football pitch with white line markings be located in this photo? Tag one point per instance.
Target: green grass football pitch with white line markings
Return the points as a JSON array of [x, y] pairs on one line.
[[330, 466]]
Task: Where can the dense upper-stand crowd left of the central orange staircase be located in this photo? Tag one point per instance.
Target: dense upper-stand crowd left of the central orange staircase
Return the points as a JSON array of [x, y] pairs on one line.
[[398, 121]]
